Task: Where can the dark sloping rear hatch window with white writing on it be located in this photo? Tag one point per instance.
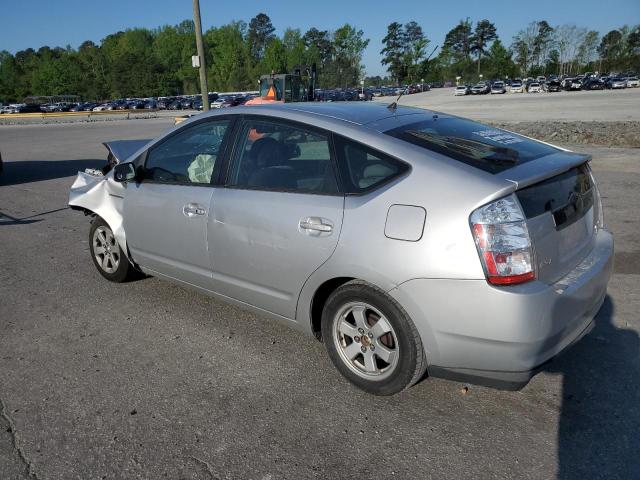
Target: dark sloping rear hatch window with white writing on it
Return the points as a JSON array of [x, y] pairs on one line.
[[489, 149]]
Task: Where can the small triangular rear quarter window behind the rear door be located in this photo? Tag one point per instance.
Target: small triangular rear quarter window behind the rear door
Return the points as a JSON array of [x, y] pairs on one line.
[[362, 168]]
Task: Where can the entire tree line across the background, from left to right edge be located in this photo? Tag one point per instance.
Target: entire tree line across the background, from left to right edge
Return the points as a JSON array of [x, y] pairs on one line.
[[140, 62]]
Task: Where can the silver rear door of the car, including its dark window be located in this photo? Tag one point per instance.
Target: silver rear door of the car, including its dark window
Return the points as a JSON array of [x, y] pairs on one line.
[[279, 216]]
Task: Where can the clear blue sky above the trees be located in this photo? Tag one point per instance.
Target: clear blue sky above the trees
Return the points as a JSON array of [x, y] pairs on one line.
[[33, 23]]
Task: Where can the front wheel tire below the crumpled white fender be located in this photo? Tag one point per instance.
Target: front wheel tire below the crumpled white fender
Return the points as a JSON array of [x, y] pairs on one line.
[[120, 271]]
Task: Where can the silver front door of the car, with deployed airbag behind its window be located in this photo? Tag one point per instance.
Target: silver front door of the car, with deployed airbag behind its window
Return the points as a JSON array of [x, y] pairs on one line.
[[166, 212]]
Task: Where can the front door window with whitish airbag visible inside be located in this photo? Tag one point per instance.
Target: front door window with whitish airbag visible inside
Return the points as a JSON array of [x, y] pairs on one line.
[[188, 157]]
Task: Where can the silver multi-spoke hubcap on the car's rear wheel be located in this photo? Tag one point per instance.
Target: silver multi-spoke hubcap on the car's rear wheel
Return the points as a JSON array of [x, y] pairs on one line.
[[366, 341]]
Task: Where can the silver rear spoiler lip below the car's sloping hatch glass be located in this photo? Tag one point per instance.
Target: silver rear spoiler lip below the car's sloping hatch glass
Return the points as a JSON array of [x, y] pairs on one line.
[[542, 168]]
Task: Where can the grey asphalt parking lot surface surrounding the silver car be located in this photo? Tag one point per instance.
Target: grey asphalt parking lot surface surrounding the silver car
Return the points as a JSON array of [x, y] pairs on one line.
[[148, 380]]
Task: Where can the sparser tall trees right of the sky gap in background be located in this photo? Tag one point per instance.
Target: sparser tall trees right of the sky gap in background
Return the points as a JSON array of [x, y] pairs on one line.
[[470, 51]]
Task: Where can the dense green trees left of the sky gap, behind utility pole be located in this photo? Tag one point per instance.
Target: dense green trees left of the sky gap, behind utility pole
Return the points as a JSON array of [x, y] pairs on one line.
[[140, 62]]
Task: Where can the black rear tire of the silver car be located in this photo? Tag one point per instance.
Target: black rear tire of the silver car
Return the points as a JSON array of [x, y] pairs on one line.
[[409, 364]]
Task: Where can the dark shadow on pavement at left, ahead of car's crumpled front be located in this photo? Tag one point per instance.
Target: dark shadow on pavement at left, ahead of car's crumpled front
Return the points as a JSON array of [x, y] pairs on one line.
[[19, 172]]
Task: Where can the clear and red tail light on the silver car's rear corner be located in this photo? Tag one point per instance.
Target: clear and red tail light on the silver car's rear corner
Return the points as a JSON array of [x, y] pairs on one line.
[[500, 232]]
